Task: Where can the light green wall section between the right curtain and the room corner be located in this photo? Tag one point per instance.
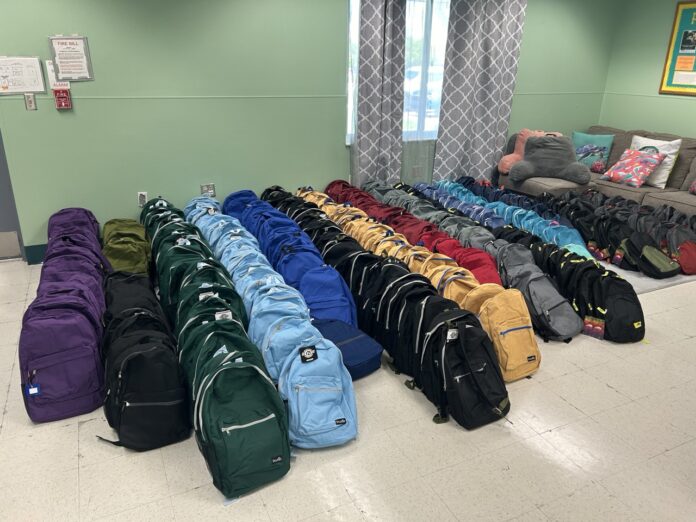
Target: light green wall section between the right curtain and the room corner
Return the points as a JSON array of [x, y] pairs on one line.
[[564, 59]]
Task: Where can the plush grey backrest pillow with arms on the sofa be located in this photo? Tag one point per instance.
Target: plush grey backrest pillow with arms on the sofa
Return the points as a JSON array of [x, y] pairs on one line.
[[550, 157]]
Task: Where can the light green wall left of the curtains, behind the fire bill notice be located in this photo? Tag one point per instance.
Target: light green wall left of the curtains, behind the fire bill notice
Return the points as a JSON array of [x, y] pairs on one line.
[[242, 93]]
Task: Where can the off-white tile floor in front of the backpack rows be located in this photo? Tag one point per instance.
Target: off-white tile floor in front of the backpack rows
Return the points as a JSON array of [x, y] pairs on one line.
[[602, 432]]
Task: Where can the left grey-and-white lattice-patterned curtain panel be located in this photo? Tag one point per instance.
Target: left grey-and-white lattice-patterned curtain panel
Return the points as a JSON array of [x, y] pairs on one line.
[[376, 150]]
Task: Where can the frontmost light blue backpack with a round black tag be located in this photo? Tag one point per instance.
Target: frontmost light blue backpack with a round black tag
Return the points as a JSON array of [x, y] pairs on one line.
[[319, 393]]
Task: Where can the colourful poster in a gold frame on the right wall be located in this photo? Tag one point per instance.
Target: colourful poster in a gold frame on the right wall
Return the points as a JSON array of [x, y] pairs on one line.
[[679, 74]]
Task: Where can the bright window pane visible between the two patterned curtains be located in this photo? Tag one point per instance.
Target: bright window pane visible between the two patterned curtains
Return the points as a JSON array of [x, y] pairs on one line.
[[426, 39]]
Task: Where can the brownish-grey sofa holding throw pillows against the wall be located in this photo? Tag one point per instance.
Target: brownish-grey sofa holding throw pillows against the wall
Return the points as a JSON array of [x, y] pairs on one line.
[[676, 193]]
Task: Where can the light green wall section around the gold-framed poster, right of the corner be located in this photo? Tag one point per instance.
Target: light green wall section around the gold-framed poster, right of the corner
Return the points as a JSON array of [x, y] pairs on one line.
[[631, 100]]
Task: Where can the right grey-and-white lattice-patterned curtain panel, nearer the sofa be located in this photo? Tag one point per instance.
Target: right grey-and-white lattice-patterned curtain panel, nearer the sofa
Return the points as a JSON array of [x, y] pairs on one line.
[[483, 45]]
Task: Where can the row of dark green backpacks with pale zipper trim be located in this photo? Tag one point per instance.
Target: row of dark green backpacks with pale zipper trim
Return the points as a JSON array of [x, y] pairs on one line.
[[238, 417]]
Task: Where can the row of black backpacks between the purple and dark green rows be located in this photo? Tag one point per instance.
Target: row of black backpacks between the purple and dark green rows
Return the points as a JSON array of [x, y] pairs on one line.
[[146, 402]]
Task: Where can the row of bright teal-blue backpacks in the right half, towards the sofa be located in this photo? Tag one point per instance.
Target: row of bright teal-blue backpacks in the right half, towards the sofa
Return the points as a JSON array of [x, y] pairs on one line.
[[549, 230]]
